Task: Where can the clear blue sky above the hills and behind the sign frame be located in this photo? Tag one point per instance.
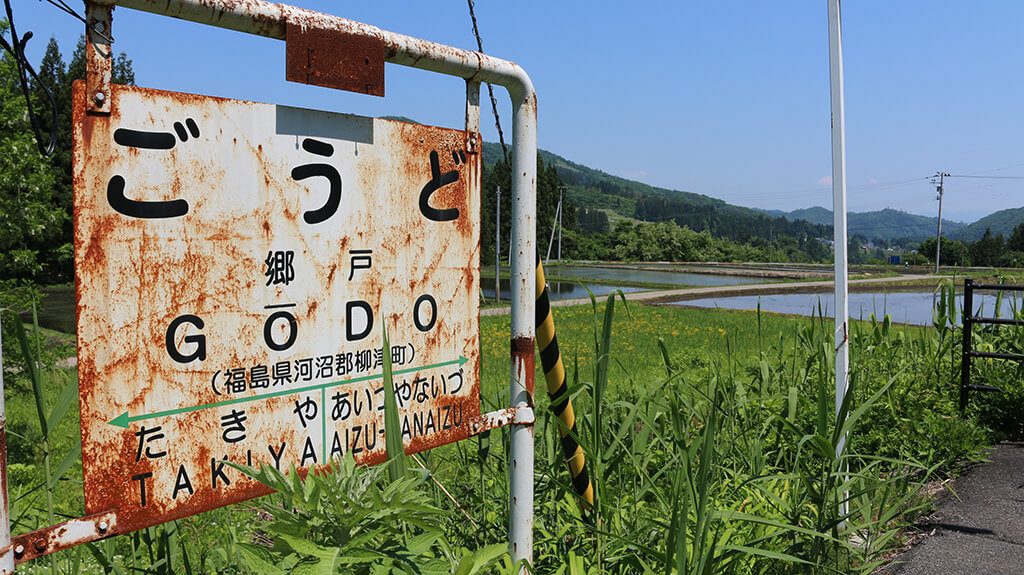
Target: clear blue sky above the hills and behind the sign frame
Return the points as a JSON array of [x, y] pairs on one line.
[[730, 100]]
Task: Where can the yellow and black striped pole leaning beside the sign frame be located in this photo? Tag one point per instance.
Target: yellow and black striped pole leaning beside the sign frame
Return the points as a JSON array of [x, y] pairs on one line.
[[559, 393]]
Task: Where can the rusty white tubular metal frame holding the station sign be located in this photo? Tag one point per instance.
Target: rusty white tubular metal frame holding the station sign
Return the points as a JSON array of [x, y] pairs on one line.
[[273, 21]]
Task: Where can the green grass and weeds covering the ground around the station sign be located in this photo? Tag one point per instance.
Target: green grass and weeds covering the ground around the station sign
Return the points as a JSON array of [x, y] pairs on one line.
[[710, 436]]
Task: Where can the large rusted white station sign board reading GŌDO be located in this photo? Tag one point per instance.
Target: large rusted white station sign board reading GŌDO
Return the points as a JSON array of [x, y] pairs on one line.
[[236, 263]]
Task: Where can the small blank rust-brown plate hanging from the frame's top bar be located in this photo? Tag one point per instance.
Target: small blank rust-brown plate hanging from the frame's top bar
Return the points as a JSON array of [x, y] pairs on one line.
[[335, 59]]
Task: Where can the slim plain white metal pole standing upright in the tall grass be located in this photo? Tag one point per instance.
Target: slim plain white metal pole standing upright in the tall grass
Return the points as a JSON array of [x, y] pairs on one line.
[[839, 210]]
